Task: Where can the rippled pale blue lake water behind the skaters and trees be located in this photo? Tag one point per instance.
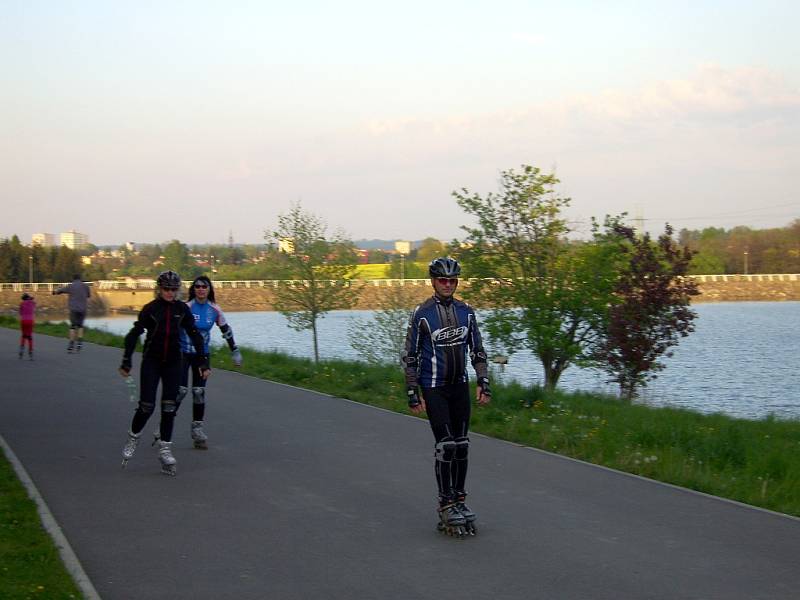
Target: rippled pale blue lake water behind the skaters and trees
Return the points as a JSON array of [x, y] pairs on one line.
[[743, 359]]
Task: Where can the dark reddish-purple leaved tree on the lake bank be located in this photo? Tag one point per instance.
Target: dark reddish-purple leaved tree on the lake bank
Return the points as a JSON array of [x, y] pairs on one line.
[[651, 312]]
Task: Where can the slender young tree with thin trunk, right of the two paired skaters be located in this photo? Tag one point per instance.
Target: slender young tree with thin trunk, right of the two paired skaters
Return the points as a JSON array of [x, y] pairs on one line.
[[316, 270]]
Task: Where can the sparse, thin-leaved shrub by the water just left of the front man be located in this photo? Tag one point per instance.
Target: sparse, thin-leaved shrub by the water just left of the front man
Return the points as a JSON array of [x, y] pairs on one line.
[[381, 337]]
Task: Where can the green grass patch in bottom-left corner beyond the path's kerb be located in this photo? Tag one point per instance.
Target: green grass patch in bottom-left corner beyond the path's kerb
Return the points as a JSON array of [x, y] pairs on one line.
[[30, 566]]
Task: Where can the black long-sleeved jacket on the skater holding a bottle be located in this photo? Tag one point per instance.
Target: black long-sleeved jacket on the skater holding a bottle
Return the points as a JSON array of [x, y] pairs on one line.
[[163, 321]]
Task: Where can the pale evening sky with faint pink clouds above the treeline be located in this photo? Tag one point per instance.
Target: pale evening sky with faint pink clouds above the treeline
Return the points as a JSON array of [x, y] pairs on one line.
[[198, 120]]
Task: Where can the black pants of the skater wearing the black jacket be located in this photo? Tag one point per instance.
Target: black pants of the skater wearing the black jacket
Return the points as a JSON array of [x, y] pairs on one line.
[[169, 374]]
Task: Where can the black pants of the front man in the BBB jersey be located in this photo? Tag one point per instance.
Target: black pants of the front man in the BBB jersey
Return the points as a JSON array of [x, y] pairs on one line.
[[448, 409]]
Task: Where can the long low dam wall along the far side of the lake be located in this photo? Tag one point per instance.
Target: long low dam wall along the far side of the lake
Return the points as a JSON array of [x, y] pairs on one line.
[[713, 289]]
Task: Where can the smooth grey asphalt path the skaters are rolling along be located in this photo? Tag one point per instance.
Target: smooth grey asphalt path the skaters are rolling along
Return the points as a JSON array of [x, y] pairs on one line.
[[302, 495]]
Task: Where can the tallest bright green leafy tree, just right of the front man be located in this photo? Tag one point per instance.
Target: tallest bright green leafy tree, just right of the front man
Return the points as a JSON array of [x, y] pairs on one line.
[[546, 294]]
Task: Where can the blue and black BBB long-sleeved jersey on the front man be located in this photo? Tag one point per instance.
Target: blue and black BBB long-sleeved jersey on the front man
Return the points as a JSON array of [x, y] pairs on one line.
[[440, 335]]
